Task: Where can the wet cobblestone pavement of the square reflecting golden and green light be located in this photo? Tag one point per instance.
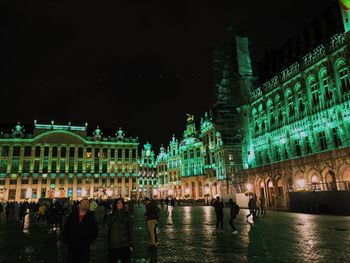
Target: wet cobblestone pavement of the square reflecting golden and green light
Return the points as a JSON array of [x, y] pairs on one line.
[[189, 235]]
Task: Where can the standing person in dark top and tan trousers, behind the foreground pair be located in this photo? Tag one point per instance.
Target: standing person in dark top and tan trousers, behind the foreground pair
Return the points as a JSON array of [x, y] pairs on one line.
[[152, 216]]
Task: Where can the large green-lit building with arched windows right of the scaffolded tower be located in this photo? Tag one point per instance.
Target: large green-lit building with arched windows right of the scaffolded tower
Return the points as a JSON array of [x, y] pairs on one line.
[[296, 121]]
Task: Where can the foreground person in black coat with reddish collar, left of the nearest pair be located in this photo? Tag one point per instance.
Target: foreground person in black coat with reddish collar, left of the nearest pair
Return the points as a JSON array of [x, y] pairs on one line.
[[79, 232]]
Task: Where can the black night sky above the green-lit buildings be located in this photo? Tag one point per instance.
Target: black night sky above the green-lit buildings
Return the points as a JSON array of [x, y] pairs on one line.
[[140, 65]]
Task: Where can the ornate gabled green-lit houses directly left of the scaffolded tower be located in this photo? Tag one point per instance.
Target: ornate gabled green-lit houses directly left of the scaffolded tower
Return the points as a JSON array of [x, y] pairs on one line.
[[195, 167]]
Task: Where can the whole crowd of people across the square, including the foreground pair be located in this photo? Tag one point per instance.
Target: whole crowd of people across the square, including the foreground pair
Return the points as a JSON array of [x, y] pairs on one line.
[[81, 228]]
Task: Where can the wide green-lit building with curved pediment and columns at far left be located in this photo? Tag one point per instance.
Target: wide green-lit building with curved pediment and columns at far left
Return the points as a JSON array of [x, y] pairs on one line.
[[63, 161]]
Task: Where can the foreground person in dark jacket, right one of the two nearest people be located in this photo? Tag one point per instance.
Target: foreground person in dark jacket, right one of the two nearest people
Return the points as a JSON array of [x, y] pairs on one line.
[[119, 234]]
